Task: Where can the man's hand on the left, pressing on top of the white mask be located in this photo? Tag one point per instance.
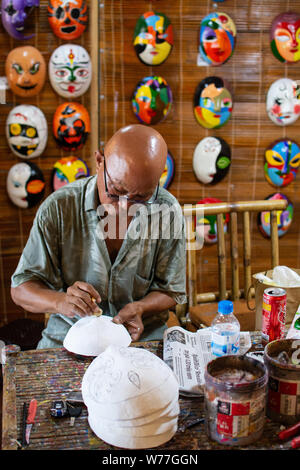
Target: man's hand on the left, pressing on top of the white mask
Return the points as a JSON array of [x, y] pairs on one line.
[[78, 300]]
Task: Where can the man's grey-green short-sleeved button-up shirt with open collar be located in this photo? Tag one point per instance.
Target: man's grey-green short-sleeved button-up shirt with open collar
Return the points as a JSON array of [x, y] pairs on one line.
[[66, 244]]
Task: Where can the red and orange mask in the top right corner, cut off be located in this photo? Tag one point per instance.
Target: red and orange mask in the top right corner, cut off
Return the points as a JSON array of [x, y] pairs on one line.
[[285, 37]]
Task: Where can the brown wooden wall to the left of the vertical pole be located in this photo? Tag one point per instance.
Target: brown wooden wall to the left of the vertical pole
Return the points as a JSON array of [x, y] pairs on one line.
[[15, 223]]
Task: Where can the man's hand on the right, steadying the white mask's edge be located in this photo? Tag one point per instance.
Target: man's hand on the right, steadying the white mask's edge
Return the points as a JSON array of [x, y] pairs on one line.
[[131, 317]]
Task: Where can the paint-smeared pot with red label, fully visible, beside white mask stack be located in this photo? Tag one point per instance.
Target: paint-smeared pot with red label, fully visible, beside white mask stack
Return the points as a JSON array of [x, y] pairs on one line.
[[235, 399]]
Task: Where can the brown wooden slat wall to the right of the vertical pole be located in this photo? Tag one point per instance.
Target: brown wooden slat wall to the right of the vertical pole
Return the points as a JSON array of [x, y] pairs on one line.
[[250, 71]]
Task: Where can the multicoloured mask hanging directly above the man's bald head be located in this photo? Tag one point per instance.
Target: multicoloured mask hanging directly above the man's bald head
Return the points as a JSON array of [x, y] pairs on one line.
[[152, 100]]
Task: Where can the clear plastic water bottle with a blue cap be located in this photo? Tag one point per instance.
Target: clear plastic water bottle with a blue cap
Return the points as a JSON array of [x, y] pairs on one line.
[[225, 331]]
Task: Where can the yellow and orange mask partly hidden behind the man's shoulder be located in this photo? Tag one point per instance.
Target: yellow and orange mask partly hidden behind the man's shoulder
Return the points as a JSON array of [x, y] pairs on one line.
[[66, 170]]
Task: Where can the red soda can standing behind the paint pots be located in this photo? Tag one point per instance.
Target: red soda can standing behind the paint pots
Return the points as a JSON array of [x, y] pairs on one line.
[[273, 314]]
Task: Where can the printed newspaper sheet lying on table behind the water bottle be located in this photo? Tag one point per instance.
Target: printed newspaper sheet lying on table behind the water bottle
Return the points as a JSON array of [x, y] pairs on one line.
[[188, 353]]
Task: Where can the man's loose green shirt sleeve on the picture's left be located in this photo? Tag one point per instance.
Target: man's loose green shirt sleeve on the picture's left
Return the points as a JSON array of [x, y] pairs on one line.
[[40, 259]]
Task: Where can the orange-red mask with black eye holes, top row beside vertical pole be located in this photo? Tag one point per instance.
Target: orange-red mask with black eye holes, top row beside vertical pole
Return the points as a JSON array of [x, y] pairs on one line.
[[67, 19]]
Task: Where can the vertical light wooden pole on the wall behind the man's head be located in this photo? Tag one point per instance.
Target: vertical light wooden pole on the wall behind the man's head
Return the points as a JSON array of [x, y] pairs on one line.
[[94, 89]]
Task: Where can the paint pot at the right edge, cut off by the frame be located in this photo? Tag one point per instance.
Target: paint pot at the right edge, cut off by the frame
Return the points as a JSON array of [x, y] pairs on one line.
[[283, 404]]
